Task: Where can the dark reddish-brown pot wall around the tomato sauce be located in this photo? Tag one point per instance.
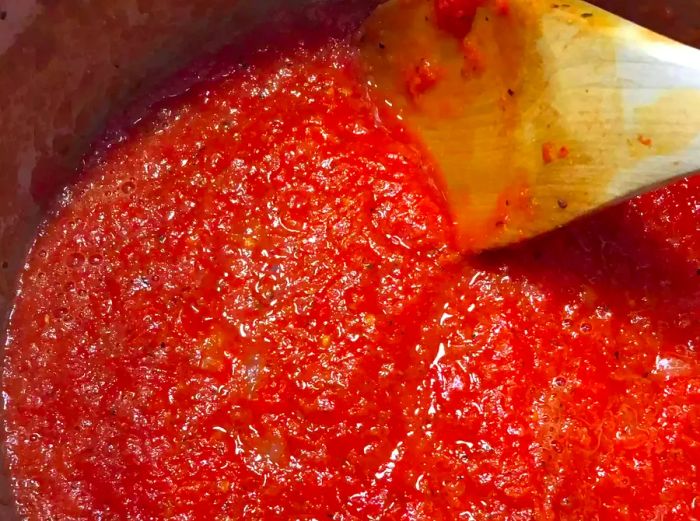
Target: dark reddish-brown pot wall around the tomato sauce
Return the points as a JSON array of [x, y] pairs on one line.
[[68, 64]]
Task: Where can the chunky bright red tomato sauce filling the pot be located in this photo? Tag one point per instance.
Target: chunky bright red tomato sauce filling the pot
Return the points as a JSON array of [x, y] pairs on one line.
[[251, 306]]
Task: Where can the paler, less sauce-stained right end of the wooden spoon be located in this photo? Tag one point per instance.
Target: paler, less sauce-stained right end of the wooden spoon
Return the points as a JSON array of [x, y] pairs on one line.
[[652, 135]]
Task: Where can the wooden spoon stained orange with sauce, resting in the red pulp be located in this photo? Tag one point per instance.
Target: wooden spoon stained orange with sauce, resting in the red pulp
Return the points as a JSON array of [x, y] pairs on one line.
[[543, 112]]
